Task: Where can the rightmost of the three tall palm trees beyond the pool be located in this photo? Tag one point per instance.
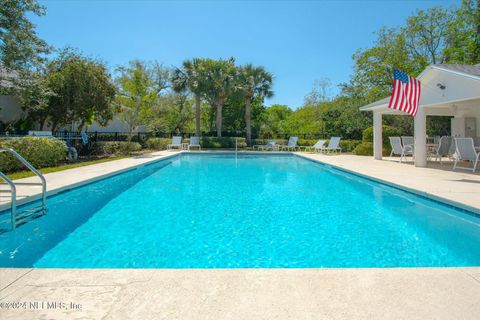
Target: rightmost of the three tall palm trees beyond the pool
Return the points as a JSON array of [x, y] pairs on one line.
[[253, 82]]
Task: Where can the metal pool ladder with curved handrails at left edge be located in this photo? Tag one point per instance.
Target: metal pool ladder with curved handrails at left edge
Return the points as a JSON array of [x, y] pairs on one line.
[[22, 217]]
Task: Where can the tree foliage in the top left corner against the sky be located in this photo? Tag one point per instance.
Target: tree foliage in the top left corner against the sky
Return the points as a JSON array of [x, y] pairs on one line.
[[20, 47]]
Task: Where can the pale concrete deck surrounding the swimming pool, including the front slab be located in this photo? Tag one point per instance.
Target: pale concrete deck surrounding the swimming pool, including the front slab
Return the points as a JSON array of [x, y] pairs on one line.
[[390, 293]]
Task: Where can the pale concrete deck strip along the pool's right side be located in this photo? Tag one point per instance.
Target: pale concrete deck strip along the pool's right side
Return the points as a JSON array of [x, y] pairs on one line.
[[460, 188]]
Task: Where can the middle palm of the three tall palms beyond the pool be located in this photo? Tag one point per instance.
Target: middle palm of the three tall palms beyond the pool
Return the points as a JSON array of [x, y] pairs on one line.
[[219, 84]]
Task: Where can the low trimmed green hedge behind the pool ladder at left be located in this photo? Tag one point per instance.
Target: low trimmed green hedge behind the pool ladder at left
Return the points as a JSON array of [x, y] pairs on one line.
[[41, 152]]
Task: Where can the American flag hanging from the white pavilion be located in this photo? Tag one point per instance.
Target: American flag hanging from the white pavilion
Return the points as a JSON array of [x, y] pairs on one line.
[[405, 93]]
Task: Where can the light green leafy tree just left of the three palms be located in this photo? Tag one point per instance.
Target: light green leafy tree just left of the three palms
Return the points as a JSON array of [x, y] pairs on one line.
[[139, 87]]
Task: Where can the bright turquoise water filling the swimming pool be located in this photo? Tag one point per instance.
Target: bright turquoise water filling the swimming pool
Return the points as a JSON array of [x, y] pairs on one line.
[[254, 211]]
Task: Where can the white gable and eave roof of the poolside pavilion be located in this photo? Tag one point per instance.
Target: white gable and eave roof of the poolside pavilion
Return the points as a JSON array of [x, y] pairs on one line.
[[460, 83]]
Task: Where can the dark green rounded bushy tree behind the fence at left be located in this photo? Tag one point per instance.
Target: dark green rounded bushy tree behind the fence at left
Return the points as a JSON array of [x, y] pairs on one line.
[[83, 91]]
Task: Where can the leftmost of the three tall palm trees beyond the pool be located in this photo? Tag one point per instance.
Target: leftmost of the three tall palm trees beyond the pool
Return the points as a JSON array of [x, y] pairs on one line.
[[191, 77]]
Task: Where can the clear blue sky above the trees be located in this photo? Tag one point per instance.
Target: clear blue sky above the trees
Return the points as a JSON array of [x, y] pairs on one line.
[[297, 41]]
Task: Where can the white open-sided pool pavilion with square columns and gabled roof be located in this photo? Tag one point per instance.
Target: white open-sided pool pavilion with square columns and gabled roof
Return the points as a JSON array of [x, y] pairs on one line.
[[447, 90]]
